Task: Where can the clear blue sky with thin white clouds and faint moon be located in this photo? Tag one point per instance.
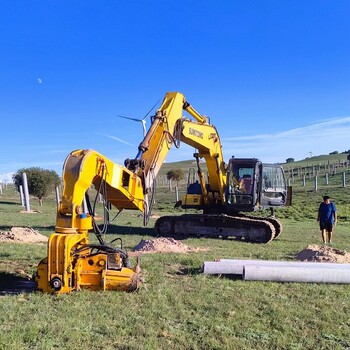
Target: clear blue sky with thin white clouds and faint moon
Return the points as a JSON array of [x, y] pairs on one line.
[[273, 76]]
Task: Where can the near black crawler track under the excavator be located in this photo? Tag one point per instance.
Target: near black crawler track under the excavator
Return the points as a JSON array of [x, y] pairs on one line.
[[251, 229]]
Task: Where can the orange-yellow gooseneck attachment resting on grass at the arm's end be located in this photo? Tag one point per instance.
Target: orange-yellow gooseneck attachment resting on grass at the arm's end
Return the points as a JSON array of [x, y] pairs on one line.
[[63, 270]]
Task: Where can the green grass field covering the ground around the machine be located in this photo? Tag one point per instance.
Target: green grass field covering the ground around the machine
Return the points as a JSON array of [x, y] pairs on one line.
[[178, 307]]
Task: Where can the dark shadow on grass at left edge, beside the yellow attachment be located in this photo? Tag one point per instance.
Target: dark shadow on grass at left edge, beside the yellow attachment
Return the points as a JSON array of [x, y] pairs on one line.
[[14, 284]]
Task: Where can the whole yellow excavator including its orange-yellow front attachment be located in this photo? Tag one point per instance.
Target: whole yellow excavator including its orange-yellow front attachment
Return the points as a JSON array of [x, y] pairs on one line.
[[228, 190]]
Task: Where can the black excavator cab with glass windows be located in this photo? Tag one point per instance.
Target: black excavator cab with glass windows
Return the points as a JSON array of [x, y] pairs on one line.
[[252, 185]]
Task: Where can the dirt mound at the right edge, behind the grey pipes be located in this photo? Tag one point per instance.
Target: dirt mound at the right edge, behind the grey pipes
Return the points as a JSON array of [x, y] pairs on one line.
[[321, 253]]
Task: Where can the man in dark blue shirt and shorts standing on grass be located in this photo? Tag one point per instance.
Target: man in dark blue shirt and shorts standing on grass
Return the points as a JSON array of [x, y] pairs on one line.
[[327, 216]]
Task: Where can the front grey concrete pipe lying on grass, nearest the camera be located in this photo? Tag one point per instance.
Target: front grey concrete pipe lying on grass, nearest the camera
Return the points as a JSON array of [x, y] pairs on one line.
[[296, 274]]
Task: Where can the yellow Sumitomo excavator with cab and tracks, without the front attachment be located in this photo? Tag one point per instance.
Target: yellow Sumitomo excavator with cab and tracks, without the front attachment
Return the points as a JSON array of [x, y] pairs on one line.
[[228, 190]]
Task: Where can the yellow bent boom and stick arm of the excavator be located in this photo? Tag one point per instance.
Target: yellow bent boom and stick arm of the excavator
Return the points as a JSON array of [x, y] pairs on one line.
[[170, 127]]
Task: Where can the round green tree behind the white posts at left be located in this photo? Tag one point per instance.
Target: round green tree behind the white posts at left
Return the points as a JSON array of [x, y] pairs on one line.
[[40, 181]]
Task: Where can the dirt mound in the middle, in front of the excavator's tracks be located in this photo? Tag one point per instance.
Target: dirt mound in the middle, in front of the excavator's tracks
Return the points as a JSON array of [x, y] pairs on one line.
[[164, 245]]
